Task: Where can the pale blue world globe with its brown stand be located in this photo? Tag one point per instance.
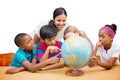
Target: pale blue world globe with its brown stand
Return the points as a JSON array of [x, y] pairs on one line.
[[76, 52]]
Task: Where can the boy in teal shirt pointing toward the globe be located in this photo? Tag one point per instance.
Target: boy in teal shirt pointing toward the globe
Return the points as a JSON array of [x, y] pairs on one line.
[[25, 57]]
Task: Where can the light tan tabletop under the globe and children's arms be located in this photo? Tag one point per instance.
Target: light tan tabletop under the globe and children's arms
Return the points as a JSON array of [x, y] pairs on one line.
[[90, 73]]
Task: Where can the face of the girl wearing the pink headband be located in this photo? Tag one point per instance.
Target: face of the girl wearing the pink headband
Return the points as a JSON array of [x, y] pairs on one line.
[[104, 38]]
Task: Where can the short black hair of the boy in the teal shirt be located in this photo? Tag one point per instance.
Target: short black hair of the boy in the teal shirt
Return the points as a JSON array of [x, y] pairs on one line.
[[18, 39]]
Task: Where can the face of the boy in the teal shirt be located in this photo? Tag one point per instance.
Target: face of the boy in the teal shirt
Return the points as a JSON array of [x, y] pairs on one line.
[[27, 43]]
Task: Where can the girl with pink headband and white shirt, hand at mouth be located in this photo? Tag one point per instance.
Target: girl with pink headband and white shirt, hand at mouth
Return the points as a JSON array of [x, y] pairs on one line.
[[106, 53]]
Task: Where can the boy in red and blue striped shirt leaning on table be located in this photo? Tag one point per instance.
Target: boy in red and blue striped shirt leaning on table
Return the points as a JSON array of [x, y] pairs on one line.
[[49, 47]]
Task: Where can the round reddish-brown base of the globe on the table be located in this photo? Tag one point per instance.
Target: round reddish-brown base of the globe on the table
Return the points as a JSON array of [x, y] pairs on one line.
[[74, 72]]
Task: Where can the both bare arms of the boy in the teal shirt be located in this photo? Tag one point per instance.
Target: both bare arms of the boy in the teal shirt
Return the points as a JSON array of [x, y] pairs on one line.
[[32, 67]]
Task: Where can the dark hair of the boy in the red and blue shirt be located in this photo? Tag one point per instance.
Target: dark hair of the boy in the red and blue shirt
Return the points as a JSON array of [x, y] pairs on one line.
[[47, 31]]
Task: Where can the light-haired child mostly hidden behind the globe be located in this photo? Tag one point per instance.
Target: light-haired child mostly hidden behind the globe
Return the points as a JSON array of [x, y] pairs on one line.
[[72, 30]]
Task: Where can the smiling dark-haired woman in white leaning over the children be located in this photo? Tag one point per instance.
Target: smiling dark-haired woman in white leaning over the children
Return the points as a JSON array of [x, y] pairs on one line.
[[59, 22]]
